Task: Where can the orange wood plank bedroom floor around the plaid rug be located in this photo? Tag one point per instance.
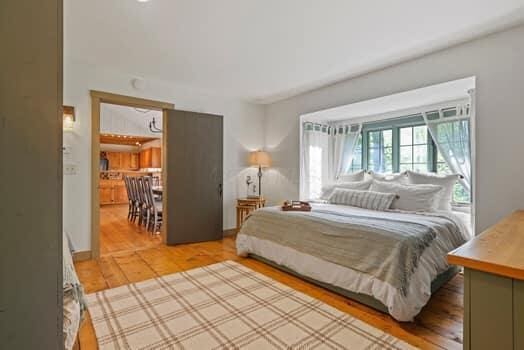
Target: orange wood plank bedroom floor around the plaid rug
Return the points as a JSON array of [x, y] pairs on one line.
[[438, 326]]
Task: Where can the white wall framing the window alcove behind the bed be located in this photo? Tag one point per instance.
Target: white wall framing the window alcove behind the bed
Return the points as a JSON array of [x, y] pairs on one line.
[[497, 61]]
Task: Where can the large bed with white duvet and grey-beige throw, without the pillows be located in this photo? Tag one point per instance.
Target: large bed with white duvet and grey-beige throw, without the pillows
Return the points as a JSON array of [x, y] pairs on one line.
[[390, 260]]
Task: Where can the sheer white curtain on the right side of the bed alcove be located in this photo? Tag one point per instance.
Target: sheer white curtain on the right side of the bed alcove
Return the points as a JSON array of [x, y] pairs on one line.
[[452, 138]]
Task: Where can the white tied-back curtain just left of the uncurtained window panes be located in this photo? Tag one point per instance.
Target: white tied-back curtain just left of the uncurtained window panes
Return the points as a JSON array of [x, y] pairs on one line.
[[344, 141]]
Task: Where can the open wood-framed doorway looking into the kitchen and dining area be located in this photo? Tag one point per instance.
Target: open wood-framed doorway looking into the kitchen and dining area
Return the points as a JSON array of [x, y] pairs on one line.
[[121, 153]]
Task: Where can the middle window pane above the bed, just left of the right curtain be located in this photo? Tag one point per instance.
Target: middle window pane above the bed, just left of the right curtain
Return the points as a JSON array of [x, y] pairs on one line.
[[414, 149]]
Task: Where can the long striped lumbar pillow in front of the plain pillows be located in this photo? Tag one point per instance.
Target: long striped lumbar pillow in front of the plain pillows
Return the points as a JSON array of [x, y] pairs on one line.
[[362, 199]]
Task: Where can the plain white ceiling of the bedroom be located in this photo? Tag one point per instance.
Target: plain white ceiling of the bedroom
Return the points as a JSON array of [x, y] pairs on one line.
[[267, 50]]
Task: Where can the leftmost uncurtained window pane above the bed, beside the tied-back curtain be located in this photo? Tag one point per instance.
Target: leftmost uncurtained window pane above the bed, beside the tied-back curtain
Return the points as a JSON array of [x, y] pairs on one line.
[[380, 151]]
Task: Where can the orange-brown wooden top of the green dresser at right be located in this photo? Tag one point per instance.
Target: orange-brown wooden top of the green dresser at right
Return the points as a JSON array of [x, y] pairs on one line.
[[498, 250]]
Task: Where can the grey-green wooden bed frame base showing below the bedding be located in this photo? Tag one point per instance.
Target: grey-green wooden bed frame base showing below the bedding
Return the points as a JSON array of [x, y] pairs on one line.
[[365, 299]]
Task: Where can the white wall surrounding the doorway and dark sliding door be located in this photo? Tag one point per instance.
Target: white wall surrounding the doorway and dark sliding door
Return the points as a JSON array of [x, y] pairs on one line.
[[243, 131]]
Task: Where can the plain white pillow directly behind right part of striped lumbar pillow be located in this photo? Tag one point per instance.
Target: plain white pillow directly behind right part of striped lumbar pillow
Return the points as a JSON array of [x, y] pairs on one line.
[[411, 197]]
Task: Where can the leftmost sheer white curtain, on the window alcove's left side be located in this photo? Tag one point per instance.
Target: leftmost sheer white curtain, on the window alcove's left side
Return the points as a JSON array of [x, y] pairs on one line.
[[315, 163]]
